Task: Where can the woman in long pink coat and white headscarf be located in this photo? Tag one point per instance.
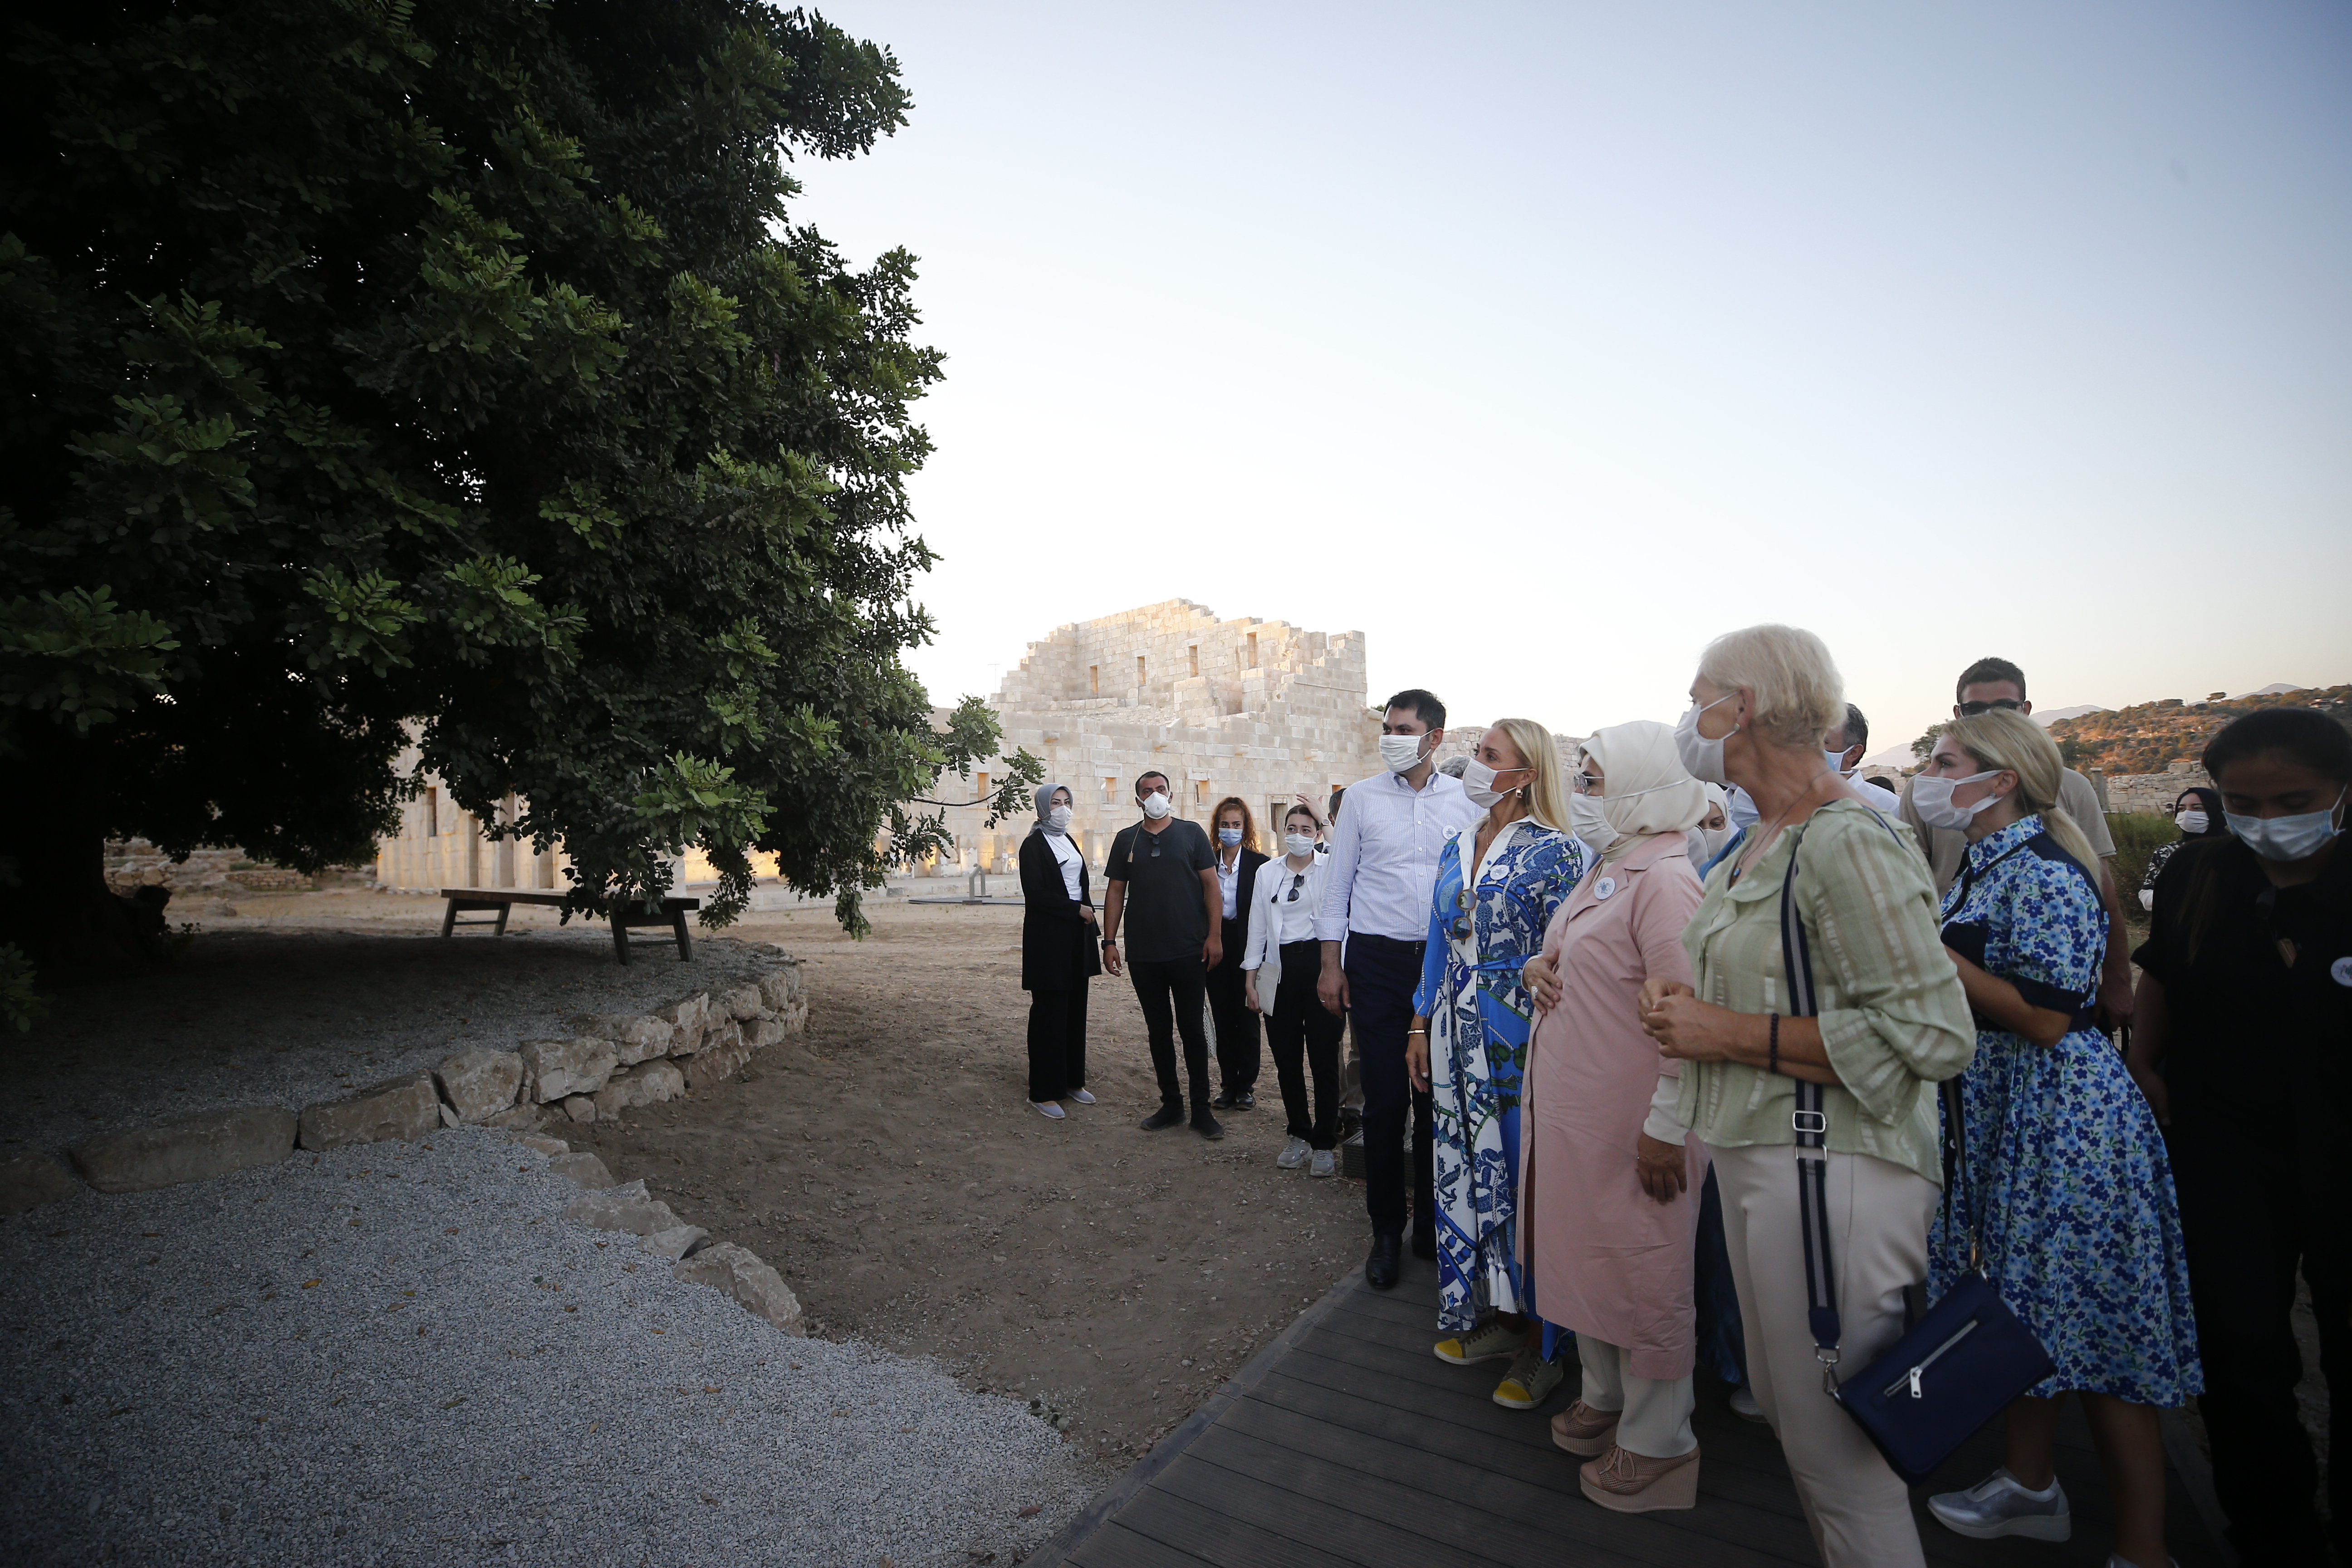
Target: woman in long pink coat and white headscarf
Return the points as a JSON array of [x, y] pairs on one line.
[[1610, 1179]]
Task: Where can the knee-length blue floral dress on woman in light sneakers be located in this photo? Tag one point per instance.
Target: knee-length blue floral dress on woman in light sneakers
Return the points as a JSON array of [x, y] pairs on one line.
[[2064, 1160]]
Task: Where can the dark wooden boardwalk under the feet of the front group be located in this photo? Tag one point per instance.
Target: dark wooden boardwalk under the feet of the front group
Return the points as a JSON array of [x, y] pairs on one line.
[[1347, 1445]]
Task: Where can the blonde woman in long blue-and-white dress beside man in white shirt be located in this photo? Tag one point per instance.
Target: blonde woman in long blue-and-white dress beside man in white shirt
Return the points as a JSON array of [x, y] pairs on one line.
[[1499, 883]]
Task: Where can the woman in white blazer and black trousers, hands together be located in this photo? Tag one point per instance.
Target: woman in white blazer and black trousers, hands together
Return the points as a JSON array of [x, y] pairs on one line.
[[1281, 967]]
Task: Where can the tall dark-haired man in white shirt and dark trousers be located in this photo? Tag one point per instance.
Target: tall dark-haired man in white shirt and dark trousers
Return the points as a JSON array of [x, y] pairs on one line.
[[1377, 902]]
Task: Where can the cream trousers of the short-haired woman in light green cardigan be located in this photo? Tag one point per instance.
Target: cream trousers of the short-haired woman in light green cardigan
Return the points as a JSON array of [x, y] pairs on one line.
[[1880, 1212]]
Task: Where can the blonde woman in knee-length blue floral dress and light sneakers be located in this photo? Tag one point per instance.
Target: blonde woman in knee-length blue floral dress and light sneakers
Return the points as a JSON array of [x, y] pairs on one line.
[[2066, 1184]]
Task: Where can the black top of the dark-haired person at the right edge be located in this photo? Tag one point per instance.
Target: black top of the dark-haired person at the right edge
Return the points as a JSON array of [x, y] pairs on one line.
[[2261, 1014]]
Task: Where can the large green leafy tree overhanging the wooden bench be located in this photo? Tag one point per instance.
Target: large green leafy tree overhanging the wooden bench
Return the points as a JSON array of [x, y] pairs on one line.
[[453, 370]]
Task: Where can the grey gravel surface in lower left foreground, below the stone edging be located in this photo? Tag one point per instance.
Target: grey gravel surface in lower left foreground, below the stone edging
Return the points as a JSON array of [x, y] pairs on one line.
[[403, 1355]]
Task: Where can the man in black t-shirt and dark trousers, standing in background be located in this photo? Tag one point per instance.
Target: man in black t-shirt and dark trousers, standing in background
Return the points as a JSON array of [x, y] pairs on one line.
[[1163, 887]]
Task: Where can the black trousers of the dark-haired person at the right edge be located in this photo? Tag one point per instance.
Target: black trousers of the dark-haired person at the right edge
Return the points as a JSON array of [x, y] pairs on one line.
[[2247, 1233]]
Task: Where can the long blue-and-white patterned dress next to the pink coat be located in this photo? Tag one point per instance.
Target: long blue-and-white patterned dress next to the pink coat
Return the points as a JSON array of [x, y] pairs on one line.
[[1481, 1019]]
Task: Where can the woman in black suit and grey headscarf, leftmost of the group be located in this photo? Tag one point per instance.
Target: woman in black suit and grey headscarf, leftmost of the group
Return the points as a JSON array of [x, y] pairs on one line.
[[1060, 953]]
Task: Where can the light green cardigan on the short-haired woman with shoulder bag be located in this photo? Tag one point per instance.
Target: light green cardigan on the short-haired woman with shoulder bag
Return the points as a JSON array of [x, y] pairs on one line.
[[1892, 1012]]
